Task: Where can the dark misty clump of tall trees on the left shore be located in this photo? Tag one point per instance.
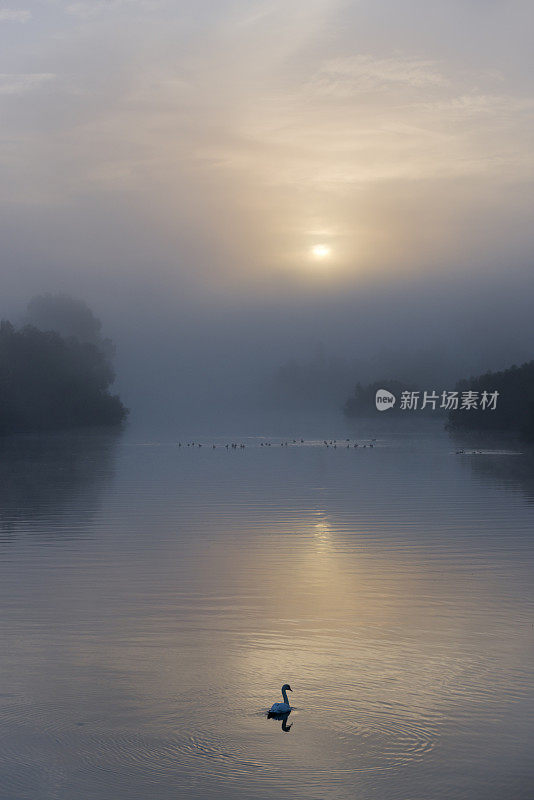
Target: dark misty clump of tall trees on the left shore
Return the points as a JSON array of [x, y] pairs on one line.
[[58, 377]]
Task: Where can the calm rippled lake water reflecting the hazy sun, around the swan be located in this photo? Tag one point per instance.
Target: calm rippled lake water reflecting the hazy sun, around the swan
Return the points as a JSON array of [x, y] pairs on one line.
[[156, 597]]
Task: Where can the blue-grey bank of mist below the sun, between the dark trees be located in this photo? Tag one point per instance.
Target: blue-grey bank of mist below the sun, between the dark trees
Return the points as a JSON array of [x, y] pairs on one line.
[[215, 357]]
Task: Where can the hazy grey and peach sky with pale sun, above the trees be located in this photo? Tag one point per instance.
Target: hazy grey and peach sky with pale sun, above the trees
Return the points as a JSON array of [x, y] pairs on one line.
[[176, 164]]
